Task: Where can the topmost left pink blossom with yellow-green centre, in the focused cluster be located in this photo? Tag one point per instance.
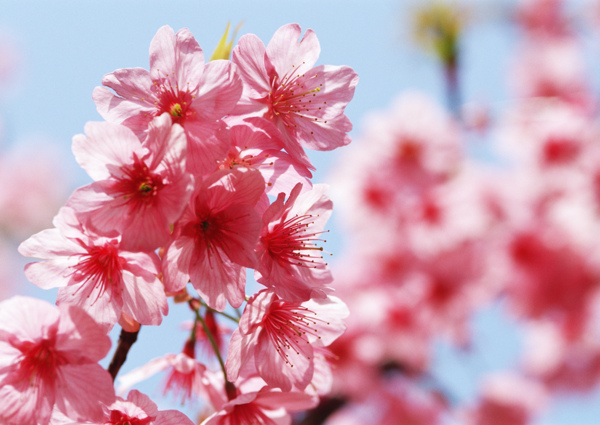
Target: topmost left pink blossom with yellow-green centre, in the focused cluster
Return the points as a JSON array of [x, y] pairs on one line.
[[196, 95]]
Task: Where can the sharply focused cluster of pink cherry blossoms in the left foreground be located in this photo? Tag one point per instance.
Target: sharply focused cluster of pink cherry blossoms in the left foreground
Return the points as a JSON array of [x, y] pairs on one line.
[[182, 171]]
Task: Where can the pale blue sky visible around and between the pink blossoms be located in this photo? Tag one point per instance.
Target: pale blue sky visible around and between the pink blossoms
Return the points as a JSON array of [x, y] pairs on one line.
[[65, 47]]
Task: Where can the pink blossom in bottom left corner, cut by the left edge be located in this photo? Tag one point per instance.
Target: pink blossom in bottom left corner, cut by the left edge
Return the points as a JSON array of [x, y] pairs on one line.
[[49, 359]]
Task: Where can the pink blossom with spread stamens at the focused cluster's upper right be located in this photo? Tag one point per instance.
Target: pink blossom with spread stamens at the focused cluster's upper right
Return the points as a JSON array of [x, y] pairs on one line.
[[282, 85]]
